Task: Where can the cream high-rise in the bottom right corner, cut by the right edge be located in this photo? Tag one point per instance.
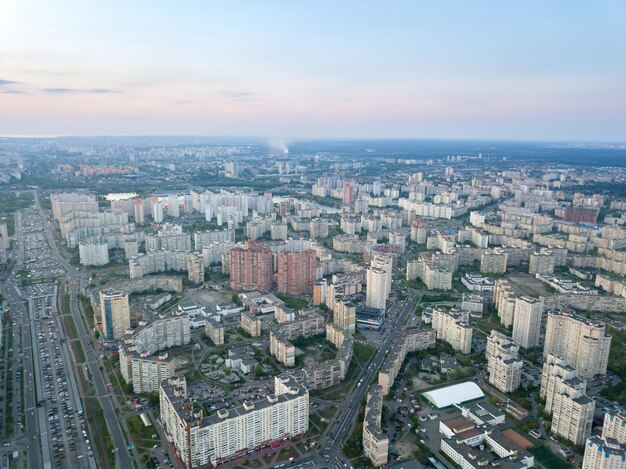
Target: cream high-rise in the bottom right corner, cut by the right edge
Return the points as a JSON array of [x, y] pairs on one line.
[[607, 451]]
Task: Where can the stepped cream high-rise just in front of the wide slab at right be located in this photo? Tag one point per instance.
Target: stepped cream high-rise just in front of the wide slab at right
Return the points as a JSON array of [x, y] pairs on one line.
[[572, 410]]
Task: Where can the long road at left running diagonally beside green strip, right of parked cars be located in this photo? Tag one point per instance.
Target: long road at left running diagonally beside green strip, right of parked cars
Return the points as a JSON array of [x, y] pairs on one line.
[[74, 277]]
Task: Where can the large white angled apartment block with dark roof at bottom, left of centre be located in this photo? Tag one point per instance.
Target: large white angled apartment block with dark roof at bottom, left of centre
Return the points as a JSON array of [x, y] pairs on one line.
[[201, 440]]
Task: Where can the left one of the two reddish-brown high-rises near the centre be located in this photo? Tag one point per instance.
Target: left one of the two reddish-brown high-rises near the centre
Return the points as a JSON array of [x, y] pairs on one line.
[[251, 267]]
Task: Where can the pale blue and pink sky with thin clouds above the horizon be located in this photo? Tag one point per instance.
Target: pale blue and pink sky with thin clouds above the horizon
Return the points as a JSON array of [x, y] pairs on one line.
[[532, 70]]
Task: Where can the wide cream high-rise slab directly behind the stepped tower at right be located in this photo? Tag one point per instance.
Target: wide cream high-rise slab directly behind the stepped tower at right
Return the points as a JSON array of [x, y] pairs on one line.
[[581, 343]]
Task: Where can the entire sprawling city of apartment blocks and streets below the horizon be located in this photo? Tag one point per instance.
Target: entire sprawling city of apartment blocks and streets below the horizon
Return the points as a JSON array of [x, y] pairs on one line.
[[243, 306]]
